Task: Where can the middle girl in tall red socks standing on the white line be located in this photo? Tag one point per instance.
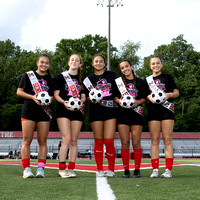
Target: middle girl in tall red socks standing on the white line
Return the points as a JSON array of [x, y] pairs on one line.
[[102, 116]]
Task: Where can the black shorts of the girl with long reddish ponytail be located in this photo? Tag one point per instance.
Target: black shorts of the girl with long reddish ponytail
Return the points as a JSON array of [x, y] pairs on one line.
[[71, 115]]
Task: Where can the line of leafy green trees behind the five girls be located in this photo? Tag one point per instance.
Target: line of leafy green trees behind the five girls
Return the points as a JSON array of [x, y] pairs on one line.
[[179, 59]]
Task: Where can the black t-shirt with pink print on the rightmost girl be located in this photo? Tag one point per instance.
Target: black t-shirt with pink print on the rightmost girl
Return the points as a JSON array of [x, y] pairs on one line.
[[164, 82]]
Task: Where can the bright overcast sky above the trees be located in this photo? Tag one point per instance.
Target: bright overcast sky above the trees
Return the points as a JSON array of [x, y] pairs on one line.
[[43, 23]]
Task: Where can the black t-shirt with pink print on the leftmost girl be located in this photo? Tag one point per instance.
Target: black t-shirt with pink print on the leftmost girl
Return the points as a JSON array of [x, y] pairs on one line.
[[46, 84]]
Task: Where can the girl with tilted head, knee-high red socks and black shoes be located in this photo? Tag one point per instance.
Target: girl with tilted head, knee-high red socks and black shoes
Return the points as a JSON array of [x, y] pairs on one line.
[[130, 119]]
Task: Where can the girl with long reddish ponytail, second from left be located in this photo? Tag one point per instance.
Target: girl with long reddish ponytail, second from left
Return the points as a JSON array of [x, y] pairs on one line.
[[69, 122]]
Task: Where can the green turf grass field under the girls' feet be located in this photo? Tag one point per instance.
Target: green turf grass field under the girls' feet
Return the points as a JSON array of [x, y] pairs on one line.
[[184, 184]]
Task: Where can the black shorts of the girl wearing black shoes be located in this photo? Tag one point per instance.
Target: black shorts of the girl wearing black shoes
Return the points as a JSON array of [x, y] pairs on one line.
[[129, 117]]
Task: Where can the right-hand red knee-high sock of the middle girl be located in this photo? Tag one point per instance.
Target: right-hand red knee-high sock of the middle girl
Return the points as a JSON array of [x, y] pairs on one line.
[[110, 153]]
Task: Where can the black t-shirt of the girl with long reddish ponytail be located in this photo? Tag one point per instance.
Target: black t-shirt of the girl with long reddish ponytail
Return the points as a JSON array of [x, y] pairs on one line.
[[61, 85]]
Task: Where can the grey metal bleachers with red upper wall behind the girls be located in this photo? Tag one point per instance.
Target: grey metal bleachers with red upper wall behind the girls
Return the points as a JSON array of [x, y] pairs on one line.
[[186, 145]]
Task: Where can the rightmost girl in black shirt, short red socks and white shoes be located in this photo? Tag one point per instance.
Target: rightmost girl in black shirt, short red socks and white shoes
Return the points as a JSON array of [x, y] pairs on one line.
[[161, 118]]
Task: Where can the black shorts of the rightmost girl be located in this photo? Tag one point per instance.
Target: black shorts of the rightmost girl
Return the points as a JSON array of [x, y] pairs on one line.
[[159, 113]]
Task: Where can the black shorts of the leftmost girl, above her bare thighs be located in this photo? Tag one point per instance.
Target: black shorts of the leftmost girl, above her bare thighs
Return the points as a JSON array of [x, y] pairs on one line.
[[36, 116]]
